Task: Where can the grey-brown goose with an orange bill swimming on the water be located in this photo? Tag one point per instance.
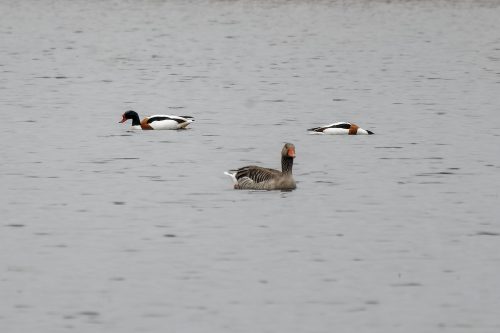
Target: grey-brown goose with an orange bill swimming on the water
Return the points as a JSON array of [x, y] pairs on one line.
[[257, 178]]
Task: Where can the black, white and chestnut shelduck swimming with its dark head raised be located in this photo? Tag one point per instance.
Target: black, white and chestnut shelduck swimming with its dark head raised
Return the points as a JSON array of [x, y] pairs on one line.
[[157, 122]]
